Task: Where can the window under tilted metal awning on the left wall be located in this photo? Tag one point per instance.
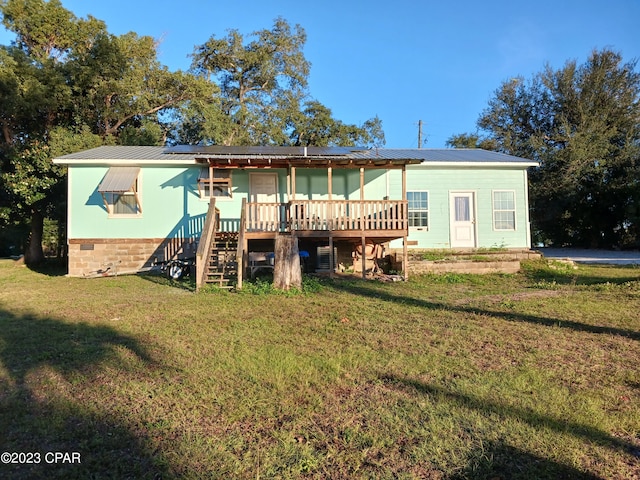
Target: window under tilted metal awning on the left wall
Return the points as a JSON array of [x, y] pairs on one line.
[[119, 190]]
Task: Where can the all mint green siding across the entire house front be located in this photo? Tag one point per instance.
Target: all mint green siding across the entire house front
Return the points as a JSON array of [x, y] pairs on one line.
[[172, 207]]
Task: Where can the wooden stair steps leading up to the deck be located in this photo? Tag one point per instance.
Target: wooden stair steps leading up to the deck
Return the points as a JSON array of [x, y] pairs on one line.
[[222, 266]]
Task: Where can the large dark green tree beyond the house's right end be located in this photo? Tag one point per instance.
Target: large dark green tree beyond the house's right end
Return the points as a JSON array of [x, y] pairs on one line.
[[582, 123]]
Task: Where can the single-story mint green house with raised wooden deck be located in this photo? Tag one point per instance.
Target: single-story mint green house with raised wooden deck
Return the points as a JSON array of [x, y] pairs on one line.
[[133, 206]]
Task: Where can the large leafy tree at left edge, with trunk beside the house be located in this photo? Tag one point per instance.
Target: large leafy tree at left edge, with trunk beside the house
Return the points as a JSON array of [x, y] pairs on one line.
[[67, 84]]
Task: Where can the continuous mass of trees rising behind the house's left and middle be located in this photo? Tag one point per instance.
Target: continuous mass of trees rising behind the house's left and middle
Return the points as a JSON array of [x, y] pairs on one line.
[[67, 84]]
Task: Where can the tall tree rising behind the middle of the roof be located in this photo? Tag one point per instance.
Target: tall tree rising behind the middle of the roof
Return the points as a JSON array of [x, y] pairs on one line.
[[264, 98]]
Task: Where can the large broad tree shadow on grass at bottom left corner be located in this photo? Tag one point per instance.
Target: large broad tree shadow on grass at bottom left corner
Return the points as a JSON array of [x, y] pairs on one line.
[[38, 351]]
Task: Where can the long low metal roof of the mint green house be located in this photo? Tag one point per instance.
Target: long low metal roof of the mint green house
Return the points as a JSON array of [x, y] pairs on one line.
[[294, 156]]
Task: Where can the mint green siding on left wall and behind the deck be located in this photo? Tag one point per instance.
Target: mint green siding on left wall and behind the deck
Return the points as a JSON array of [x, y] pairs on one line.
[[172, 207]]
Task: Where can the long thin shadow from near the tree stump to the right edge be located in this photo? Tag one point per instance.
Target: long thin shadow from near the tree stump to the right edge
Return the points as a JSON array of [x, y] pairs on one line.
[[363, 288]]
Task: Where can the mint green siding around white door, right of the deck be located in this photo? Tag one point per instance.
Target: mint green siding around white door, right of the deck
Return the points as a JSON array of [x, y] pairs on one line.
[[440, 182]]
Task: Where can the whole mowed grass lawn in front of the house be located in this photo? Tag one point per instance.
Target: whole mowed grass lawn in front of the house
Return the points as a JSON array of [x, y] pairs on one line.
[[534, 375]]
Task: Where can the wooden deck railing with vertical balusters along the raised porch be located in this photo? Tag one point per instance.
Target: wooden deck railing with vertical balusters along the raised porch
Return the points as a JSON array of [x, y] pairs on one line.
[[327, 215]]
